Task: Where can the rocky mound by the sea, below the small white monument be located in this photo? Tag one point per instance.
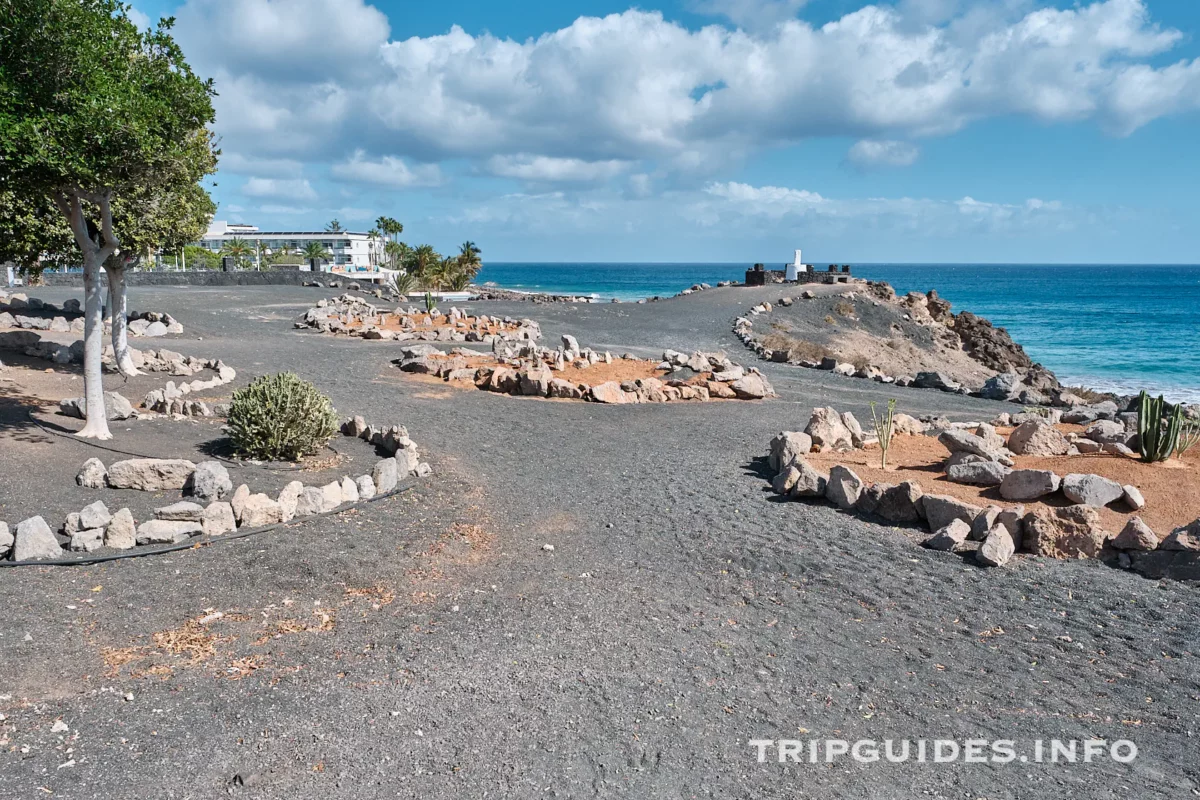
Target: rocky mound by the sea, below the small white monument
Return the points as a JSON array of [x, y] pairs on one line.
[[868, 332]]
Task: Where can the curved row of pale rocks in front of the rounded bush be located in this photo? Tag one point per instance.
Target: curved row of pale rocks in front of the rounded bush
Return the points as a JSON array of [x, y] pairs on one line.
[[33, 542]]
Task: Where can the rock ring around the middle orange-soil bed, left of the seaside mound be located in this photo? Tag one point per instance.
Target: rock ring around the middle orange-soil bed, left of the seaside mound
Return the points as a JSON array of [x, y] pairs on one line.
[[529, 370]]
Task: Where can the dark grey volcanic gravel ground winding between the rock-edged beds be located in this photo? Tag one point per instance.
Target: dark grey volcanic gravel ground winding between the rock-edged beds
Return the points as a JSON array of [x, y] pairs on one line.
[[429, 647]]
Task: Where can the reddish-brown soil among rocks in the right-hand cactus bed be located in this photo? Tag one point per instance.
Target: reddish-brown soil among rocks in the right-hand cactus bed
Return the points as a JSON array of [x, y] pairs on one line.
[[1172, 489]]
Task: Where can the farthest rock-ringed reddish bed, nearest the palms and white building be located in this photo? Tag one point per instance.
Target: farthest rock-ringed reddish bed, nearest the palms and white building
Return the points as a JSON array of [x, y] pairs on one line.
[[352, 316]]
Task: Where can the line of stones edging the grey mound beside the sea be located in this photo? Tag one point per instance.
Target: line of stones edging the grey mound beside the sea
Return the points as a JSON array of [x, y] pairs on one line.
[[1003, 387]]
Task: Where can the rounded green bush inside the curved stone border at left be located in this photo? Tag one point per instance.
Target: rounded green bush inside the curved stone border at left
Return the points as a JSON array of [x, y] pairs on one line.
[[280, 418]]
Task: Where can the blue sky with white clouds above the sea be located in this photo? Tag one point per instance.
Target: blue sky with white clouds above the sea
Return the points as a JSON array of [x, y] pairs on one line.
[[716, 130]]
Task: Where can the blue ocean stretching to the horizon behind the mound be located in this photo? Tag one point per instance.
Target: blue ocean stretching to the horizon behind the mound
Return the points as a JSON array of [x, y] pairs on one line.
[[1112, 328]]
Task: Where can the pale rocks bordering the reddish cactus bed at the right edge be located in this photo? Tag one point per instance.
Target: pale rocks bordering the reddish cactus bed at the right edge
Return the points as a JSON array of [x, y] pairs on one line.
[[1060, 533]]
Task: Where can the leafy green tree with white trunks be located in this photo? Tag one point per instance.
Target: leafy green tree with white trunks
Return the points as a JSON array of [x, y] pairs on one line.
[[107, 125]]
